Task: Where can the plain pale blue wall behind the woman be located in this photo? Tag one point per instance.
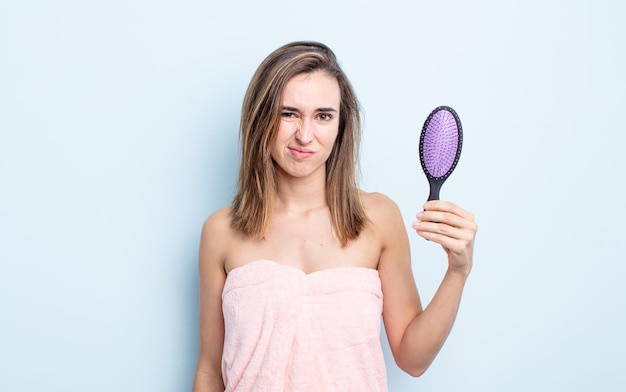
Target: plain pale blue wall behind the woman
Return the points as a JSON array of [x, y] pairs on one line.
[[118, 137]]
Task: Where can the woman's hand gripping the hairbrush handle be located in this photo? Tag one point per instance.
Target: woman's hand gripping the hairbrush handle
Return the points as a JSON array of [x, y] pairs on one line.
[[453, 228]]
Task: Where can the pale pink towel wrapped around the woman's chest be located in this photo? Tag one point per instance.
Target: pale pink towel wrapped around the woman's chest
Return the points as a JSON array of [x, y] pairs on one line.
[[291, 331]]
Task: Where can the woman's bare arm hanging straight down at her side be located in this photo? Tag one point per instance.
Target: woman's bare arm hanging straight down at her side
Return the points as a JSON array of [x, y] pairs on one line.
[[212, 276]]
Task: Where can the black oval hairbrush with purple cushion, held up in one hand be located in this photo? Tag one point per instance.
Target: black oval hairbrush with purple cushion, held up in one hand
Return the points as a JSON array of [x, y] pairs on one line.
[[440, 147]]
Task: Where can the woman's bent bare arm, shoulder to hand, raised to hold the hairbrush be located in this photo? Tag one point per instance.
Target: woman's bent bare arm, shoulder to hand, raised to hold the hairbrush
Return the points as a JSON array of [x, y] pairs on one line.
[[416, 335]]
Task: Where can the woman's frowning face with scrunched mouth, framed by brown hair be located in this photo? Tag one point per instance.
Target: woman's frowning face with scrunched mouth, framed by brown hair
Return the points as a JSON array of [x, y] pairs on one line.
[[309, 125]]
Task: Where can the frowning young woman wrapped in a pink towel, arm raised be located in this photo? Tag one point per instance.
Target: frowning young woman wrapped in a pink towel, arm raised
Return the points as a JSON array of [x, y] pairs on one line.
[[295, 275]]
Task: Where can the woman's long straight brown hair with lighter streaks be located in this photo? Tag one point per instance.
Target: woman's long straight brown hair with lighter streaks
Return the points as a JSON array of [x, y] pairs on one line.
[[253, 203]]
